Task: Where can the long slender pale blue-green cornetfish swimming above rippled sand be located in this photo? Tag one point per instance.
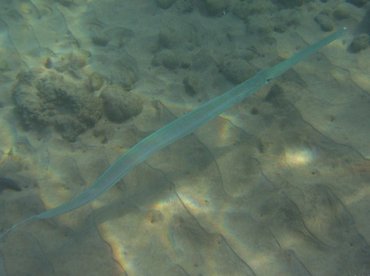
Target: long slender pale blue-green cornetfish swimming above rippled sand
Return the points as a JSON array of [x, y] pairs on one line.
[[177, 129]]
